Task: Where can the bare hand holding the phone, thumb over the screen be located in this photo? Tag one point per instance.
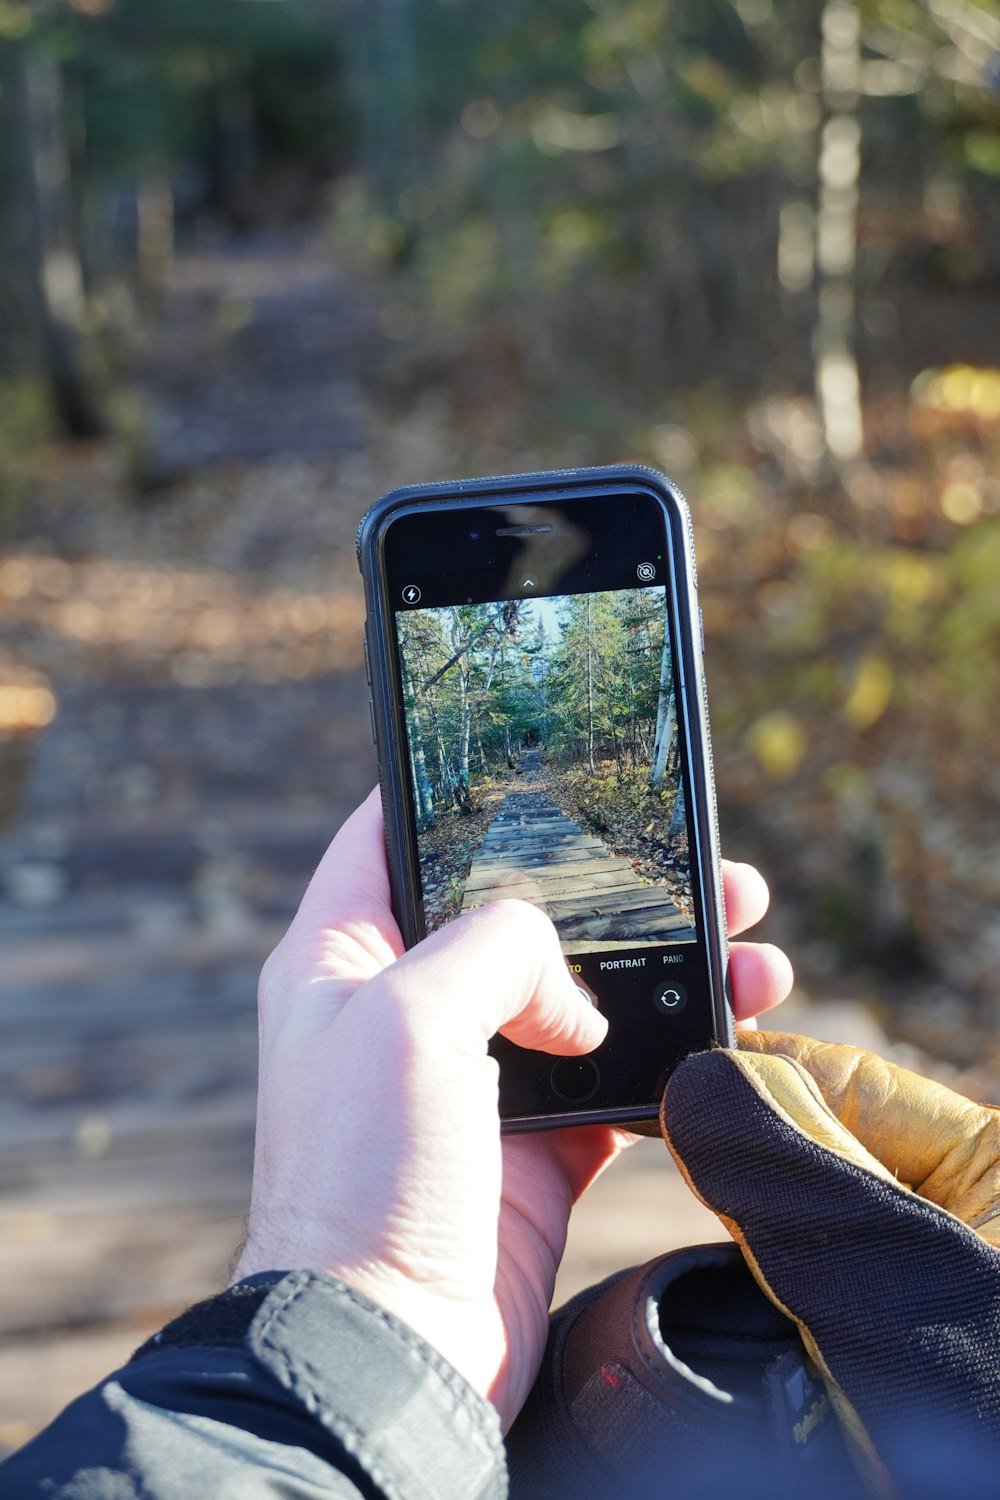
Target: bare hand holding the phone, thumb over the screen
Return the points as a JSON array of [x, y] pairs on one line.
[[379, 1153]]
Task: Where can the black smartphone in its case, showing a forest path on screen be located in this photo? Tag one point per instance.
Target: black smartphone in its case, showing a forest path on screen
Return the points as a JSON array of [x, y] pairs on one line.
[[539, 710]]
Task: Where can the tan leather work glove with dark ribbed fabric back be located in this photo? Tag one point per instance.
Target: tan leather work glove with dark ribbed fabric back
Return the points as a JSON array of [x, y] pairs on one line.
[[867, 1205]]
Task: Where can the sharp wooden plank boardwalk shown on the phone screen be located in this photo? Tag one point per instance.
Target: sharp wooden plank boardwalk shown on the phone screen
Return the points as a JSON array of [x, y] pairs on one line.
[[534, 853]]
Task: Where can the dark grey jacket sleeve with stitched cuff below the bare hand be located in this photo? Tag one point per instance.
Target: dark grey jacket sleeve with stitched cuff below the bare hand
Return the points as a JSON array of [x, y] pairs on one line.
[[286, 1387]]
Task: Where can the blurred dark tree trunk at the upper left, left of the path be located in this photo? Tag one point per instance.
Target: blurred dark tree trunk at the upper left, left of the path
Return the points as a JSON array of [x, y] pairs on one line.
[[58, 274]]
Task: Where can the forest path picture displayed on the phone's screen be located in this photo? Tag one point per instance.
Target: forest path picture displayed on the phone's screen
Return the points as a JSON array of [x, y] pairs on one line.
[[545, 764]]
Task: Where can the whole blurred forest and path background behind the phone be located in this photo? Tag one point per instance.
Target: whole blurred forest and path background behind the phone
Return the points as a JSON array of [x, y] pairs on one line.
[[260, 260]]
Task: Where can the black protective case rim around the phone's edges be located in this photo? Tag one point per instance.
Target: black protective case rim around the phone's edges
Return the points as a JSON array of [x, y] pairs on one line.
[[391, 731]]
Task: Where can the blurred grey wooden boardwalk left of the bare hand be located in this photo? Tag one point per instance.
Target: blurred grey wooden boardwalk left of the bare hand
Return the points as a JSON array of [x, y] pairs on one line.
[[128, 1018]]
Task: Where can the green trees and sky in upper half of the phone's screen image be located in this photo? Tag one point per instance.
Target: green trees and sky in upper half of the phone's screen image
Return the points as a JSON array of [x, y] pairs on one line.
[[588, 685]]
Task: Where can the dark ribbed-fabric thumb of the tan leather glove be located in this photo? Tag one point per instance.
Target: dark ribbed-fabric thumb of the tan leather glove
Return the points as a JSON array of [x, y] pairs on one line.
[[897, 1301]]
